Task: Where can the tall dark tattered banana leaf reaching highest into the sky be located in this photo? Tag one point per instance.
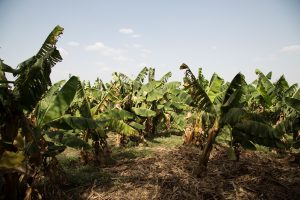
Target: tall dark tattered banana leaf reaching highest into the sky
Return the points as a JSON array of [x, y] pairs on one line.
[[33, 75]]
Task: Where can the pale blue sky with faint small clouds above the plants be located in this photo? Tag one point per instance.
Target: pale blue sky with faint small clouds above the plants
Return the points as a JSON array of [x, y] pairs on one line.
[[101, 37]]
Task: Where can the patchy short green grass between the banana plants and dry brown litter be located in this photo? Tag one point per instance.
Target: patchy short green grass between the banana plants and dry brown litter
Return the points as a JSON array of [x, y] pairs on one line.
[[78, 174]]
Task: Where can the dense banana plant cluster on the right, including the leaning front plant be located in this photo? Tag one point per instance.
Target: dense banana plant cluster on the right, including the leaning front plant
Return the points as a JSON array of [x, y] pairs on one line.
[[262, 112]]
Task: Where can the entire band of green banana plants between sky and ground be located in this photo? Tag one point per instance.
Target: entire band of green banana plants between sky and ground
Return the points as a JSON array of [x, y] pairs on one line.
[[259, 113]]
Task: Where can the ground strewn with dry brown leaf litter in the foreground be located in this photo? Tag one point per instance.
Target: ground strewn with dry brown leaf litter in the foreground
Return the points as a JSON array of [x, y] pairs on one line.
[[168, 173]]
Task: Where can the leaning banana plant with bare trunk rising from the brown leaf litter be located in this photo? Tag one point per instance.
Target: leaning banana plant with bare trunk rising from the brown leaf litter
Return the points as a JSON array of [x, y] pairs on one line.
[[246, 128]]
